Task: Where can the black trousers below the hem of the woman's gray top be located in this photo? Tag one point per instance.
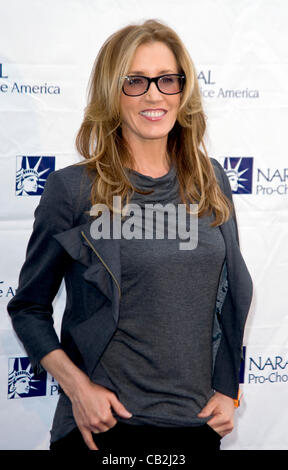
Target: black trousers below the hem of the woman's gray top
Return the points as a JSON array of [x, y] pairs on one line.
[[144, 439]]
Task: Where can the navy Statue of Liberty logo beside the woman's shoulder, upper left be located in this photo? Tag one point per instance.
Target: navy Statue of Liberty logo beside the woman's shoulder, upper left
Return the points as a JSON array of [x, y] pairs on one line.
[[31, 174]]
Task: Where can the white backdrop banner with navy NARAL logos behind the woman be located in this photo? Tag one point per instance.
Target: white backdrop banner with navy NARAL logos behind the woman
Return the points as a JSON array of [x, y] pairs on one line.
[[47, 50]]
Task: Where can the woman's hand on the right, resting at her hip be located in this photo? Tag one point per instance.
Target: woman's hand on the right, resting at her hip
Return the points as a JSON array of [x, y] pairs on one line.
[[221, 407]]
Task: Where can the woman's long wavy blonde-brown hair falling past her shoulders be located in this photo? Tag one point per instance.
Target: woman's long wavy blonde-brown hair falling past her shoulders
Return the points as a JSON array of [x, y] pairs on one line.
[[100, 141]]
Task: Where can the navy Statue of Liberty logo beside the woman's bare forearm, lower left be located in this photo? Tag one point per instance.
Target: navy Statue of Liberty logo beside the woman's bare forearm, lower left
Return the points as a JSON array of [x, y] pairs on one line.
[[22, 382]]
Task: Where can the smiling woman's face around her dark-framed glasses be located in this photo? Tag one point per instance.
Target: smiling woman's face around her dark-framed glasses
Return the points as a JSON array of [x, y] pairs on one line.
[[152, 115]]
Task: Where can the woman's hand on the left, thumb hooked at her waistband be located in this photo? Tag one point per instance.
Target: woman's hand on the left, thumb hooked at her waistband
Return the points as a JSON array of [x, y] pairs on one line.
[[92, 411]]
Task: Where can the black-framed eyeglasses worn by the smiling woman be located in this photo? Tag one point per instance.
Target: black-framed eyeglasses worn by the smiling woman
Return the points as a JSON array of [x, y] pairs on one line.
[[169, 84]]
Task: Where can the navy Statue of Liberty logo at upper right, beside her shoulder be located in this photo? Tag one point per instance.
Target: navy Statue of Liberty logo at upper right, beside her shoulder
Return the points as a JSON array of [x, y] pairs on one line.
[[239, 171]]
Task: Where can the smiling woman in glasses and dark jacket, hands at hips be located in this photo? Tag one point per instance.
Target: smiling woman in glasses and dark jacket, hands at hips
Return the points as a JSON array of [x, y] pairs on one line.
[[151, 334]]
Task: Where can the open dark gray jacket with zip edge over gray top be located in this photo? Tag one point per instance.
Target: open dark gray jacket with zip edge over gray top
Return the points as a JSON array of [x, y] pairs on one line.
[[61, 246]]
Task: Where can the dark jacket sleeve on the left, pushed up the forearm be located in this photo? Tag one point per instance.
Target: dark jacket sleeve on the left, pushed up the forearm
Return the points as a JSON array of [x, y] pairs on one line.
[[42, 272]]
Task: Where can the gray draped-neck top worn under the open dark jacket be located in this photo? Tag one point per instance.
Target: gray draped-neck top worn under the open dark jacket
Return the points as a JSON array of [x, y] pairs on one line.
[[159, 361]]
